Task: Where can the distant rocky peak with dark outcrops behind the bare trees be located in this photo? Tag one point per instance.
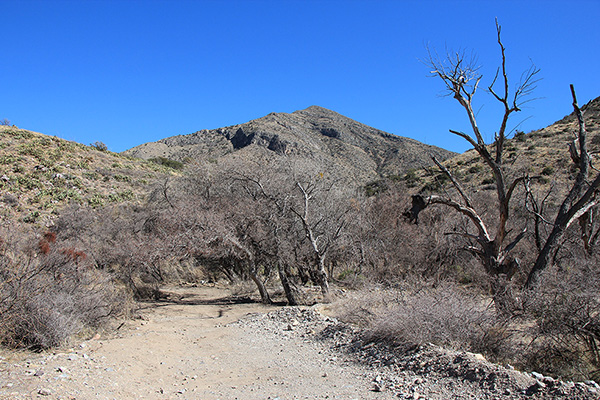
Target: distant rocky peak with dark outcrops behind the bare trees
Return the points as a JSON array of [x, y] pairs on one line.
[[330, 141]]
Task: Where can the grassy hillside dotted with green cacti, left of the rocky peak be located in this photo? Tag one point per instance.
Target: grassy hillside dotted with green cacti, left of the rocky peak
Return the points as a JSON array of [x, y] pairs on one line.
[[39, 174]]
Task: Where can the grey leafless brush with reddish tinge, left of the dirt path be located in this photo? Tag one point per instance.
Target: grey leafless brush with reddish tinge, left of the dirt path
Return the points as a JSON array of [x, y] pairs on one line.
[[48, 294]]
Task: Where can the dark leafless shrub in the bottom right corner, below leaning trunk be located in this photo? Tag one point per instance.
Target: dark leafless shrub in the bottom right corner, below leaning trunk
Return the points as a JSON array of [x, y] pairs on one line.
[[565, 306]]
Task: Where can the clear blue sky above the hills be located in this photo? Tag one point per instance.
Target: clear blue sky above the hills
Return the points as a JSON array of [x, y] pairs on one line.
[[128, 72]]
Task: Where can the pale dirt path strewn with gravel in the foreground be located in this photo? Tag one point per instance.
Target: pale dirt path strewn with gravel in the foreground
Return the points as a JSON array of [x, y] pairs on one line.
[[191, 349]]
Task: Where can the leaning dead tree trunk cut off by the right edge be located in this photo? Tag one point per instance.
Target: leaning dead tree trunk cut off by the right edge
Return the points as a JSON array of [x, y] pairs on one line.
[[578, 204]]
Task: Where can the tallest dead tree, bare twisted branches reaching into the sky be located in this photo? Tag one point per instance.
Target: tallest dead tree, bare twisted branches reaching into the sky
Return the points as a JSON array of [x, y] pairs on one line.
[[461, 78]]
